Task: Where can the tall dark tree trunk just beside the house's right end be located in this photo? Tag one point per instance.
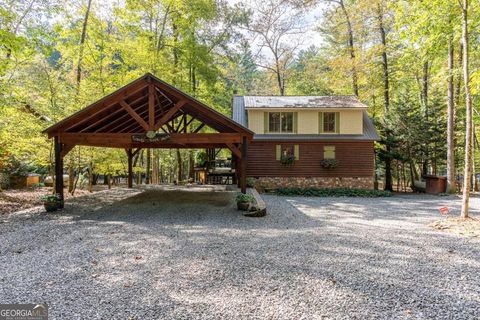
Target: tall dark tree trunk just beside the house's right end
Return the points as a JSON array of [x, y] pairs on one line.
[[386, 96]]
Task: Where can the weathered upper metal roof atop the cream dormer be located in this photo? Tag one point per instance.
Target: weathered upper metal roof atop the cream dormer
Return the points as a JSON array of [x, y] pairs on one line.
[[302, 102]]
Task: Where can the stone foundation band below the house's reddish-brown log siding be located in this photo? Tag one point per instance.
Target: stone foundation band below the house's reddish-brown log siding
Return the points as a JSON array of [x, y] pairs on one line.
[[315, 182]]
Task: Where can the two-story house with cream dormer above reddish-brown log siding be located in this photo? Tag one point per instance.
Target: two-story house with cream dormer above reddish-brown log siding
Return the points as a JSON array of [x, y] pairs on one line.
[[308, 141]]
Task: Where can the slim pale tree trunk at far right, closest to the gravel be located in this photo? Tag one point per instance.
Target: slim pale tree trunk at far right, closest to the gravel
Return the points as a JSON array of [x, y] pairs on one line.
[[468, 111]]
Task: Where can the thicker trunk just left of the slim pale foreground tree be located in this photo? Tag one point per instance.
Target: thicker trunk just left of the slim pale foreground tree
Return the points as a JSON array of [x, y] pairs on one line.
[[451, 186]]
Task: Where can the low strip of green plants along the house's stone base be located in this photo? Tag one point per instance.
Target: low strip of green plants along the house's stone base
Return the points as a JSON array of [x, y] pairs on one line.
[[334, 192]]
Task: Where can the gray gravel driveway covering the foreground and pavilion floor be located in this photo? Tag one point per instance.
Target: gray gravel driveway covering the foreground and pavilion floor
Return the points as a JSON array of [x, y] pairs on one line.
[[162, 254]]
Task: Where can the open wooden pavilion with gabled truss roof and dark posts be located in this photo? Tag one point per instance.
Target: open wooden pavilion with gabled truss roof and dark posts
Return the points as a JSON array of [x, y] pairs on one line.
[[149, 113]]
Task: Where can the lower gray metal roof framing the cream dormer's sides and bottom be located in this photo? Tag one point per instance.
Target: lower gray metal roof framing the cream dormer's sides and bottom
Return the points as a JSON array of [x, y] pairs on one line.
[[239, 115]]
